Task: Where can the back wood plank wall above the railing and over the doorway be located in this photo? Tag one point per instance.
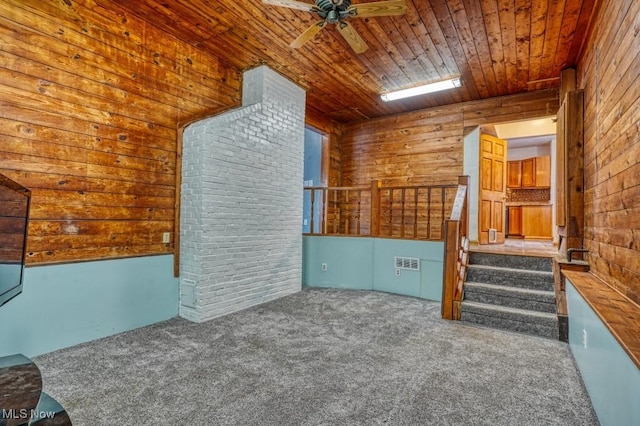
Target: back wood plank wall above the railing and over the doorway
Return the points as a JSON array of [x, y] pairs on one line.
[[425, 147]]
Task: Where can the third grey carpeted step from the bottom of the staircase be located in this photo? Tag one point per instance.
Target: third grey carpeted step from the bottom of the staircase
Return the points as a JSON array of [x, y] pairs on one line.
[[536, 280]]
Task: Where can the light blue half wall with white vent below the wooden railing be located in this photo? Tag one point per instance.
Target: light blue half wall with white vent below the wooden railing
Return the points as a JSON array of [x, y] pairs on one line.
[[368, 264]]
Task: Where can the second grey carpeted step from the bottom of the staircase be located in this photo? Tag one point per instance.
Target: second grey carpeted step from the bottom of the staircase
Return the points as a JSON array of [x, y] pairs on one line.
[[514, 297]]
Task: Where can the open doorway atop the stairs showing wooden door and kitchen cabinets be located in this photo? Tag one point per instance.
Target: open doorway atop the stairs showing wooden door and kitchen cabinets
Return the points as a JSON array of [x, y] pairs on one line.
[[529, 196]]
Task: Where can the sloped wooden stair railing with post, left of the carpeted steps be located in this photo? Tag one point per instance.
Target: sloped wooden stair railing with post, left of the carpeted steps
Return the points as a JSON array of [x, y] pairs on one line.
[[456, 252]]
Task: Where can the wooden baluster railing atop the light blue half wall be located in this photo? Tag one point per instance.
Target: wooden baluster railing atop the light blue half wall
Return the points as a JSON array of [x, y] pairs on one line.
[[408, 212]]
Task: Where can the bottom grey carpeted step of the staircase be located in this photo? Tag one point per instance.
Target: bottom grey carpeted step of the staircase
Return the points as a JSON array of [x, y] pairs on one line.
[[512, 319]]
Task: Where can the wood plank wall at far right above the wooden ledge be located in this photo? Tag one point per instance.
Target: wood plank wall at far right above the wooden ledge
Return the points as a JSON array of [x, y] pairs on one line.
[[609, 72]]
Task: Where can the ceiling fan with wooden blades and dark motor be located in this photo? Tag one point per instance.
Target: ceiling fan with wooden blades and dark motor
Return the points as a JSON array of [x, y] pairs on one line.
[[336, 12]]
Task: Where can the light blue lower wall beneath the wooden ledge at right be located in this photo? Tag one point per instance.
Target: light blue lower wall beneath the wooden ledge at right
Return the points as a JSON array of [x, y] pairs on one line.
[[610, 376]]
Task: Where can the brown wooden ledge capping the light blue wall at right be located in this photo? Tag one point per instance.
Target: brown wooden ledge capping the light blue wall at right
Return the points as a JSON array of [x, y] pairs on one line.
[[619, 314]]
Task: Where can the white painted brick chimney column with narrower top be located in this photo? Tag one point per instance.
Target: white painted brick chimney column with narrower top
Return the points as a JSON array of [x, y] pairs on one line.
[[241, 201]]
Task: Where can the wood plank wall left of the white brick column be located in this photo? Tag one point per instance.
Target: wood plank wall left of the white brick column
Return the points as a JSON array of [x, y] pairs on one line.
[[91, 99]]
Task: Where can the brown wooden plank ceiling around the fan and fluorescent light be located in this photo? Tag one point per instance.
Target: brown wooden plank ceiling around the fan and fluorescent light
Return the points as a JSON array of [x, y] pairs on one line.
[[498, 47]]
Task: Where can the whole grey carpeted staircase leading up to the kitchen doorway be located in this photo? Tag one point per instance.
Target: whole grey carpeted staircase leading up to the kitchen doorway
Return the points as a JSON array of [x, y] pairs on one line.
[[511, 292]]
